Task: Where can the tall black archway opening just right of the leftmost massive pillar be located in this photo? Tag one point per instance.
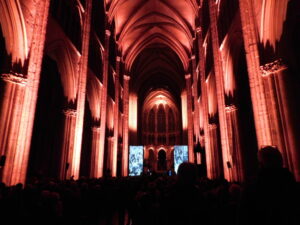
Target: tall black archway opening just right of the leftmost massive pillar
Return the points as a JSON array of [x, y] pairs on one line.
[[46, 141]]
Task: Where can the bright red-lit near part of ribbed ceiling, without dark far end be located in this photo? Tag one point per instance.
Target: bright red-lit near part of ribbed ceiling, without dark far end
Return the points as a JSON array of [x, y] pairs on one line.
[[170, 29]]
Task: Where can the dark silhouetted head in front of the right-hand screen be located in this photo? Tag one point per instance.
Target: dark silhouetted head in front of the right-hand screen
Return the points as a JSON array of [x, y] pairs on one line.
[[187, 173]]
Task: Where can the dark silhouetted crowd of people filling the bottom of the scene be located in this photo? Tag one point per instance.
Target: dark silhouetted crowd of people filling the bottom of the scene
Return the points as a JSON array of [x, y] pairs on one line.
[[184, 199]]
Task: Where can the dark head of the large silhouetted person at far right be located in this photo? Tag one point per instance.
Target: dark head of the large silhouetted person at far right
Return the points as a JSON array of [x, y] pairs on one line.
[[270, 157]]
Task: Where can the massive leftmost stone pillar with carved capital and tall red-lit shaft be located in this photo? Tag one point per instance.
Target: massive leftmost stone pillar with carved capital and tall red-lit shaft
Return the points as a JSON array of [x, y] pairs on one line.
[[18, 103]]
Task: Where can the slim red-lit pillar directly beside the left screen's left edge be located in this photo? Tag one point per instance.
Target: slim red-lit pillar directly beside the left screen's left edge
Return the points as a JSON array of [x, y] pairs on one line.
[[125, 124]]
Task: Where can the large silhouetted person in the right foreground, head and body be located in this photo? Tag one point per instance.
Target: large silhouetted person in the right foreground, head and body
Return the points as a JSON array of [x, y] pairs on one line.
[[271, 198]]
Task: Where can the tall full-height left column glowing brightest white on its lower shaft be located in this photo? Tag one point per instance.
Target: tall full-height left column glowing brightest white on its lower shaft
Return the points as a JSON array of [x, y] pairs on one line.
[[81, 95]]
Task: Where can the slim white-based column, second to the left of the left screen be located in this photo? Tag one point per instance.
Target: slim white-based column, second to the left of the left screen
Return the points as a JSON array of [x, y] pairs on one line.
[[116, 119]]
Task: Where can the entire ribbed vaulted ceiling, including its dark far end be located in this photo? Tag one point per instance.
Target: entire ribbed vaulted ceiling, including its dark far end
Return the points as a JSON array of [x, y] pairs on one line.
[[155, 38]]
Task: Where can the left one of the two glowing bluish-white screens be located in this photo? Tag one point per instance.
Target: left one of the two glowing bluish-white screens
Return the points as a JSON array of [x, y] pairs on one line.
[[136, 158]]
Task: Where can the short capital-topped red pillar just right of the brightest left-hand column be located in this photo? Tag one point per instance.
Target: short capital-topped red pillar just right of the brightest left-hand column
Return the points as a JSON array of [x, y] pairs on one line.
[[94, 151]]
